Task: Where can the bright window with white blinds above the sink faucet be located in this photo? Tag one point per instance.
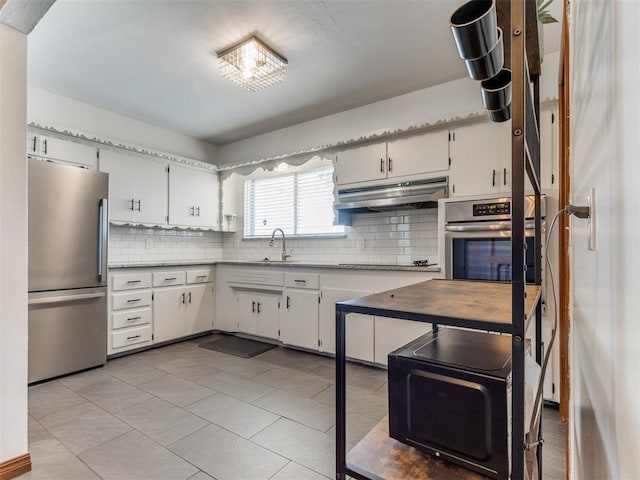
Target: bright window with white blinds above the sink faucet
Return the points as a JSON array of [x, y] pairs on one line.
[[299, 203]]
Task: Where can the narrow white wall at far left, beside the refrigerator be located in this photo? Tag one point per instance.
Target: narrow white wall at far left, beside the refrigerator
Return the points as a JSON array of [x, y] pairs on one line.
[[13, 244]]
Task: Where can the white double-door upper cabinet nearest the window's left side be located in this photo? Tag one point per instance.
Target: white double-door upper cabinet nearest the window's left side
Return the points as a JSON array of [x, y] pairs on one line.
[[193, 197]]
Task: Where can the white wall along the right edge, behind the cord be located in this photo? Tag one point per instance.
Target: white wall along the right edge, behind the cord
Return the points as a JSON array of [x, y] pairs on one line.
[[605, 323]]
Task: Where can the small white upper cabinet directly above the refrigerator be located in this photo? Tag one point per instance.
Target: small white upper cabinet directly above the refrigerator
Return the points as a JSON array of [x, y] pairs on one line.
[[60, 150]]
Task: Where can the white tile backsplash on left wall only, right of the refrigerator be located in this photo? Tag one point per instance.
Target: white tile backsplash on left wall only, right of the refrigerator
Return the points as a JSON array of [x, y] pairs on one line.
[[156, 245]]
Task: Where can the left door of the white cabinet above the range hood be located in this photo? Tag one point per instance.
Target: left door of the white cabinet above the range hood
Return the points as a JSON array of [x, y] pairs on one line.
[[361, 164]]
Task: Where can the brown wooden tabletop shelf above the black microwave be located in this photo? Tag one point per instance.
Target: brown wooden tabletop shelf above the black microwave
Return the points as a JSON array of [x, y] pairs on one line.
[[449, 302]]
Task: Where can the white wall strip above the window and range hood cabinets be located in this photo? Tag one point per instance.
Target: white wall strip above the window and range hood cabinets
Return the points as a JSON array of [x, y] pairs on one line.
[[446, 101]]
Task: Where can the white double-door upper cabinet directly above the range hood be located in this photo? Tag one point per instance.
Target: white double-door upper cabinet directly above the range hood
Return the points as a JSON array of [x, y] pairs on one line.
[[413, 157]]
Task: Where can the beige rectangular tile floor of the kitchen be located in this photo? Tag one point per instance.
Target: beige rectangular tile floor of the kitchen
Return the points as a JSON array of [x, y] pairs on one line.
[[181, 412]]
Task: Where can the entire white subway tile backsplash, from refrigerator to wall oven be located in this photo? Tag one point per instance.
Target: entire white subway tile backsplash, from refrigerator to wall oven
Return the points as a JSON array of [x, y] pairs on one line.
[[380, 237]]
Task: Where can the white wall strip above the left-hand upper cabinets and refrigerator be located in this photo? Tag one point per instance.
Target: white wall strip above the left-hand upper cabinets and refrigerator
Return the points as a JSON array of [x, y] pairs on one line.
[[62, 113]]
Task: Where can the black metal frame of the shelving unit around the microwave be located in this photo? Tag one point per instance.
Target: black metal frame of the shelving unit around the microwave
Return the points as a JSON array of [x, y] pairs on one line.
[[525, 162]]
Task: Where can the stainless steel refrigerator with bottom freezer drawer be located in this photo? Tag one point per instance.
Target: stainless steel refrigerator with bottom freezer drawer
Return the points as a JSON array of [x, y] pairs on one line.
[[68, 236]]
